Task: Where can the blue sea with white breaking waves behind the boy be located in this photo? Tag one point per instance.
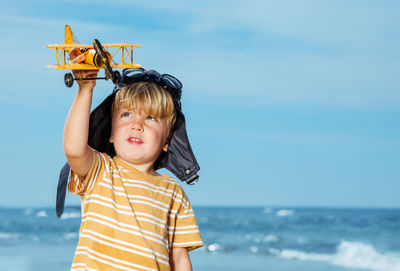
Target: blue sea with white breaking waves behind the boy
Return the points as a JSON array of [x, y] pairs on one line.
[[236, 238]]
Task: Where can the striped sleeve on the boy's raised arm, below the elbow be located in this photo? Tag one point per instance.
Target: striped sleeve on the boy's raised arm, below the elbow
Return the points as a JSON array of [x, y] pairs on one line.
[[78, 185]]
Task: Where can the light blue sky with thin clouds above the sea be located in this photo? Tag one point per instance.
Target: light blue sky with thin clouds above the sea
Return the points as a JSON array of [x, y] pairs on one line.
[[288, 103]]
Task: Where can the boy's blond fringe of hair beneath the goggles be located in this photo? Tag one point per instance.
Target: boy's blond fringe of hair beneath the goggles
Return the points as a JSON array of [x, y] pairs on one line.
[[148, 97]]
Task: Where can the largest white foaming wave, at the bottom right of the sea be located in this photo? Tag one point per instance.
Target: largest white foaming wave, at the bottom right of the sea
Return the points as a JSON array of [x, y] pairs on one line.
[[354, 255]]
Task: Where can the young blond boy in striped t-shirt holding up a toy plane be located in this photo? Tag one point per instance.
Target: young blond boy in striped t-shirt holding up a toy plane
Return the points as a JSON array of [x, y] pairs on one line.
[[132, 217]]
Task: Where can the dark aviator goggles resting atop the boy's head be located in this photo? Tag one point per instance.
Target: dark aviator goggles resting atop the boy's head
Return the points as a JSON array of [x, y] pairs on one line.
[[167, 81]]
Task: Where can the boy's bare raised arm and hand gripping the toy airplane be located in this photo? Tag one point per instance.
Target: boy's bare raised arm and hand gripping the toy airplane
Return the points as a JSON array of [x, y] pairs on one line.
[[76, 129]]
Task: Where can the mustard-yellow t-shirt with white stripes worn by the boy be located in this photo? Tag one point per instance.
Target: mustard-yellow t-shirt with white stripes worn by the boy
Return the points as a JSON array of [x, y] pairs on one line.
[[130, 219]]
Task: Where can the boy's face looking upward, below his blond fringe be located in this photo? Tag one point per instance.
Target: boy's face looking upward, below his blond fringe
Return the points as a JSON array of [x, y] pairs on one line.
[[138, 138]]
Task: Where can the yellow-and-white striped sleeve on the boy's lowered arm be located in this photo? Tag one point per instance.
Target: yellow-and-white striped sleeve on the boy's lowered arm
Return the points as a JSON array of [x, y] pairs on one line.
[[186, 231]]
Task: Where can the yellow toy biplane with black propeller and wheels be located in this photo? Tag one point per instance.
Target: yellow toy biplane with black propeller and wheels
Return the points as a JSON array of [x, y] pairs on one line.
[[96, 56]]
